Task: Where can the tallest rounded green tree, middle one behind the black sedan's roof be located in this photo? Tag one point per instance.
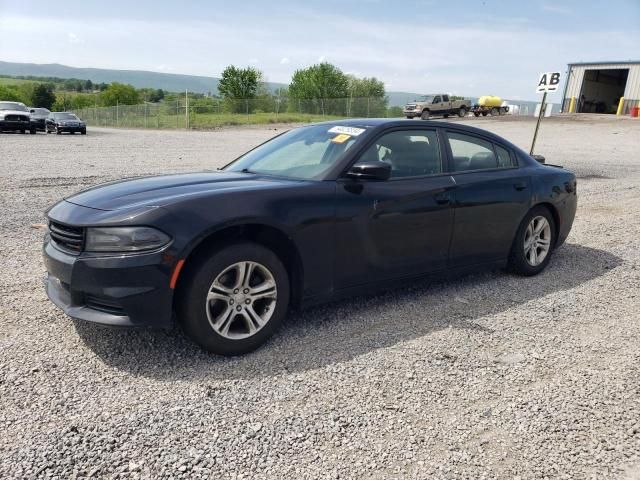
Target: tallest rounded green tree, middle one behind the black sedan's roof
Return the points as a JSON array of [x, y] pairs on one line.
[[319, 83]]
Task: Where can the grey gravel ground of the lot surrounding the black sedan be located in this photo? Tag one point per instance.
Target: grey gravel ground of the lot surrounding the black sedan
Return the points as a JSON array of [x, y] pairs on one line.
[[488, 376]]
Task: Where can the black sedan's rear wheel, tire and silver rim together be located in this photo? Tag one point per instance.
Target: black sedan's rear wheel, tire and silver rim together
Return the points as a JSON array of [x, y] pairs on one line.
[[534, 242]]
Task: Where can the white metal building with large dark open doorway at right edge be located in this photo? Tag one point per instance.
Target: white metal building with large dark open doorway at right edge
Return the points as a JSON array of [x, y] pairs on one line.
[[597, 87]]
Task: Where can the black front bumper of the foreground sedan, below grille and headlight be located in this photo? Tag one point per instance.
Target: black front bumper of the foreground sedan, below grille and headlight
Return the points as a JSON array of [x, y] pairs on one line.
[[124, 291]]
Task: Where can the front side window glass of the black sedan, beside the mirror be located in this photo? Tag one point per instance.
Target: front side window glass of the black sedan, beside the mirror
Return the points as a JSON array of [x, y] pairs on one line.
[[411, 153]]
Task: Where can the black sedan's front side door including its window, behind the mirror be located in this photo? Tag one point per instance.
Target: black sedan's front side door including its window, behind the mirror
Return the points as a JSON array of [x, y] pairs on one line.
[[399, 227]]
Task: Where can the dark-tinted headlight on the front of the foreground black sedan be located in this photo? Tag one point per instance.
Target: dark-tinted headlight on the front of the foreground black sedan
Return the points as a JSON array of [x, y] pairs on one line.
[[124, 239]]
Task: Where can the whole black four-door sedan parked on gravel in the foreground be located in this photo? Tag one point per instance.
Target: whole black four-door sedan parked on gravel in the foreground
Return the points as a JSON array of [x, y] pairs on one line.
[[319, 212]]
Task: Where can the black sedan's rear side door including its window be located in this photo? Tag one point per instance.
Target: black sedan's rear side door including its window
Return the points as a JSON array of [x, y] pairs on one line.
[[492, 196]]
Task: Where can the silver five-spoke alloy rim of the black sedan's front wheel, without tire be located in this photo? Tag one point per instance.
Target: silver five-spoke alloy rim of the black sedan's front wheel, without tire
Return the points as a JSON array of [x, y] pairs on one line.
[[241, 300]]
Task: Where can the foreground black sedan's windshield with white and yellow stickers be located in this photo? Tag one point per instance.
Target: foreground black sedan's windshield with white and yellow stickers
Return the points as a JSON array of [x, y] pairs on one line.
[[306, 153]]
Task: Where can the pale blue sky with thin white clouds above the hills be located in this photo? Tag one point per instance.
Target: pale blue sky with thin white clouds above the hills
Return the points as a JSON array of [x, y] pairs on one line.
[[469, 47]]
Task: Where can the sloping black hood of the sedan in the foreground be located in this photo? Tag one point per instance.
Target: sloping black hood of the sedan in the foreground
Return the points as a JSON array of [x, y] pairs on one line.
[[158, 191]]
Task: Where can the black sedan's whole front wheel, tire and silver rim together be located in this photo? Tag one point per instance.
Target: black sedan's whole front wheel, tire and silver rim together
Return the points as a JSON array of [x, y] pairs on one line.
[[232, 301]]
